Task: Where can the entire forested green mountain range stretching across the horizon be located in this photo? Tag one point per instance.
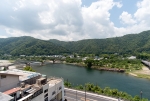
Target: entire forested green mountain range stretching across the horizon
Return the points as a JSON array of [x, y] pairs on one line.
[[128, 44]]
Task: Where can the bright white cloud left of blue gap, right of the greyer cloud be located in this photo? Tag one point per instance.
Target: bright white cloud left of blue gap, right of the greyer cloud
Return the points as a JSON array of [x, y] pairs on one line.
[[96, 19]]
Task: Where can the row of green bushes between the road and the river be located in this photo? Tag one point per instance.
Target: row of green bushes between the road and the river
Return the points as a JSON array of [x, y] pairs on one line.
[[106, 91]]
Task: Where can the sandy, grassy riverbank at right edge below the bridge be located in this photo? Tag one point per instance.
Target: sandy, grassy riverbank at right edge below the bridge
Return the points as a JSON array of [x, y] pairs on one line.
[[144, 73]]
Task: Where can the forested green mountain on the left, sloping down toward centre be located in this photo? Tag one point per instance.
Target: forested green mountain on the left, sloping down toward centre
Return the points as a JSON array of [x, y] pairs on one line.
[[29, 46]]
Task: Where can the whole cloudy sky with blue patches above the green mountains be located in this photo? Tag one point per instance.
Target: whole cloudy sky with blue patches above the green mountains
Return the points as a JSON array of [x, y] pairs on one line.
[[72, 20]]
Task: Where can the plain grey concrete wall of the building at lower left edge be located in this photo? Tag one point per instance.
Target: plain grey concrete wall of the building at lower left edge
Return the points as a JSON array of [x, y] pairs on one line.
[[11, 81]]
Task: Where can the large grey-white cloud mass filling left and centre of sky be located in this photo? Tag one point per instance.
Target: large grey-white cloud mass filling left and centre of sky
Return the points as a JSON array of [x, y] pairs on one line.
[[64, 20]]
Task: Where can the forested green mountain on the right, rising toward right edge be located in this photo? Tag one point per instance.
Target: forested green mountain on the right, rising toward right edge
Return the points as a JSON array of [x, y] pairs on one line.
[[128, 44]]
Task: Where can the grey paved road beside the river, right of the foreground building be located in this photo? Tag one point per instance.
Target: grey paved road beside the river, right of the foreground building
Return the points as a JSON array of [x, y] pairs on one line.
[[75, 95]]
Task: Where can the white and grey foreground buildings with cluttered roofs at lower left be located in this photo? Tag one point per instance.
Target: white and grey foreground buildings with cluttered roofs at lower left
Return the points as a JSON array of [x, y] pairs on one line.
[[18, 85]]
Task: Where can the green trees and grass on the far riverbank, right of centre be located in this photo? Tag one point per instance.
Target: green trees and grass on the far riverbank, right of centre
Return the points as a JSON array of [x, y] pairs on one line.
[[109, 61]]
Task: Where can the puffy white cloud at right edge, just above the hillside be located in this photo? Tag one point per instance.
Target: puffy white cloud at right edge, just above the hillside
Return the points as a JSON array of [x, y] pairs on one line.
[[137, 22]]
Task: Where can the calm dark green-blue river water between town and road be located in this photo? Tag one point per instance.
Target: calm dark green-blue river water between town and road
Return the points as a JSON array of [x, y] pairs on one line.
[[80, 75]]
